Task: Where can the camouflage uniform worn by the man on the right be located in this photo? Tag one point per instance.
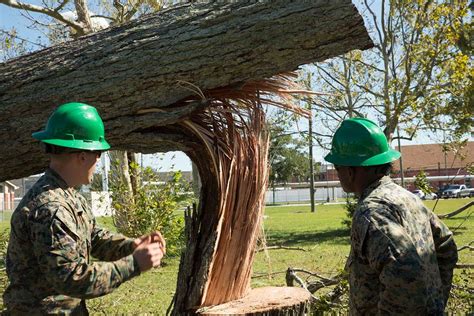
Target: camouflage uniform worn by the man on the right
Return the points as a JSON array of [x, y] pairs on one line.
[[402, 256]]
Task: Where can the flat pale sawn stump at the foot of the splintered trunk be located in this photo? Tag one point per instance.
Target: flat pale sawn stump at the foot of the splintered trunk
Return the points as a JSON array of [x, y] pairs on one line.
[[266, 301]]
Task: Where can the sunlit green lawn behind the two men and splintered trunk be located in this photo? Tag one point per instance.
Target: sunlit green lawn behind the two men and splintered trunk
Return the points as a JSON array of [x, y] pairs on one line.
[[321, 234]]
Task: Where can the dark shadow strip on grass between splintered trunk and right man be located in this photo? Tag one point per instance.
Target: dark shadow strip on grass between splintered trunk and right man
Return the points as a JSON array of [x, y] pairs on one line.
[[340, 236]]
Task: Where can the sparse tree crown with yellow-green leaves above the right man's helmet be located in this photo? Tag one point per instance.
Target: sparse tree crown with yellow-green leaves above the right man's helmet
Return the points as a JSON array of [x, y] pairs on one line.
[[418, 76]]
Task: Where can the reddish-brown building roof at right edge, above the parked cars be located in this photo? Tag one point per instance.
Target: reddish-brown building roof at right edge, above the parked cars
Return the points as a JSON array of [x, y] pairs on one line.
[[427, 156]]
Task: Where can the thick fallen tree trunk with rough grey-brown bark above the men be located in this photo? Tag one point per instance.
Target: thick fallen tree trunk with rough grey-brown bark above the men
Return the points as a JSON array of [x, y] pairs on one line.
[[135, 72]]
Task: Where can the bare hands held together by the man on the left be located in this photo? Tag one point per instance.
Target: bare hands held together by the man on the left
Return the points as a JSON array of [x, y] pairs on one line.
[[149, 250]]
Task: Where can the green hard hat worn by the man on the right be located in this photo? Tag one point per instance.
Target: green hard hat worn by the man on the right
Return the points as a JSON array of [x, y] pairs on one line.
[[360, 142]]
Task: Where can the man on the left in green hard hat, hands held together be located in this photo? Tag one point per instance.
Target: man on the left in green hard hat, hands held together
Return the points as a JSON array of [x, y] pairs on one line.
[[54, 234]]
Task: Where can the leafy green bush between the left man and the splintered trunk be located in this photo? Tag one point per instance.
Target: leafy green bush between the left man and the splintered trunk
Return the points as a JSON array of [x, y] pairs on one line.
[[152, 206]]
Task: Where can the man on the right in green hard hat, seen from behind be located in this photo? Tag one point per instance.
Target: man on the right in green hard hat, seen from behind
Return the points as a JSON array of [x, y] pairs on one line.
[[402, 256]]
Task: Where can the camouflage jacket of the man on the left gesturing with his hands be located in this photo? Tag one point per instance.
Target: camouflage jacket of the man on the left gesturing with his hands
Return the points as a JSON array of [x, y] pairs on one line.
[[53, 235]]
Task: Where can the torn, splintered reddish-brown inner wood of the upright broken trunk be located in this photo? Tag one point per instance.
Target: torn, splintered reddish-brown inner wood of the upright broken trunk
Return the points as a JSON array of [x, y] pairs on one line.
[[233, 130]]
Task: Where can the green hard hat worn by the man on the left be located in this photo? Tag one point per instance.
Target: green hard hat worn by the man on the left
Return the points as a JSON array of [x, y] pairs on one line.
[[74, 125]]
